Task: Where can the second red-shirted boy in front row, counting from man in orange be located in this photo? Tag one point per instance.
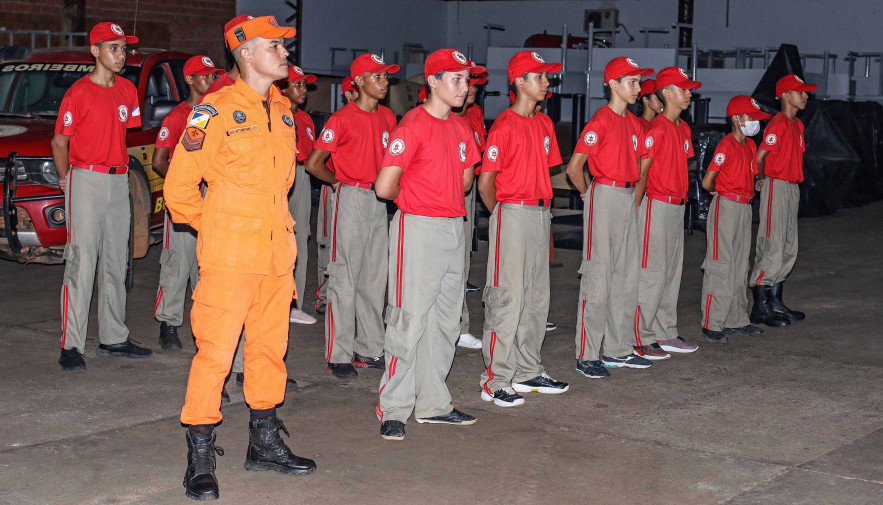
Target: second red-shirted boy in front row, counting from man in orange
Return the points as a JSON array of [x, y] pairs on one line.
[[515, 184]]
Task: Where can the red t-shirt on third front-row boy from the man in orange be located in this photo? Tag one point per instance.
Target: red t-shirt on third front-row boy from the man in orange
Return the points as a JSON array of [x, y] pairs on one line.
[[611, 141]]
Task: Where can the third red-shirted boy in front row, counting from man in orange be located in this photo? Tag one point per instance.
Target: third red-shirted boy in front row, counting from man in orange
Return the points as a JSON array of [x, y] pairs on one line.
[[609, 281]]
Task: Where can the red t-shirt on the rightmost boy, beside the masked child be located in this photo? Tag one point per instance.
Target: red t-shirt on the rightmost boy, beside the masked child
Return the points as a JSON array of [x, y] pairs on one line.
[[783, 138]]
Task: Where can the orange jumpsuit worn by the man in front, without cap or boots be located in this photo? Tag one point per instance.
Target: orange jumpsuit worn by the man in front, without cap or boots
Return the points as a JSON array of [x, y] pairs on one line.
[[243, 146]]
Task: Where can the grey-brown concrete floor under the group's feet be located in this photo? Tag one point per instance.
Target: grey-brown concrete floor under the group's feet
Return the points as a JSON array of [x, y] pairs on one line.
[[793, 417]]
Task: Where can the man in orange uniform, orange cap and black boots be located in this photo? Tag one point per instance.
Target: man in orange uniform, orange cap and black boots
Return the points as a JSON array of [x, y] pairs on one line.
[[241, 141]]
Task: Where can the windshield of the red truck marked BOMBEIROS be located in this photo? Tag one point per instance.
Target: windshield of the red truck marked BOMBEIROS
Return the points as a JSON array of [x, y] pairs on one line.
[[37, 88]]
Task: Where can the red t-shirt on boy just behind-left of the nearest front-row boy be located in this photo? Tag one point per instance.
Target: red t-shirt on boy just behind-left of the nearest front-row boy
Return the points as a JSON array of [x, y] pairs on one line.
[[356, 140]]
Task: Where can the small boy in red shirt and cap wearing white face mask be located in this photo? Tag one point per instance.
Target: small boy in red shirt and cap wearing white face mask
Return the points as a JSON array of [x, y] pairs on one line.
[[730, 178]]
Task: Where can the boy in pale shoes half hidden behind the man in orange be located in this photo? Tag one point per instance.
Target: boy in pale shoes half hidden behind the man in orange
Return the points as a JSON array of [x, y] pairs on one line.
[[300, 200]]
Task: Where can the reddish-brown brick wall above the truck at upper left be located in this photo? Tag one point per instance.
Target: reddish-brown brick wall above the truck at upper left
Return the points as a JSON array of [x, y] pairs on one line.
[[194, 27]]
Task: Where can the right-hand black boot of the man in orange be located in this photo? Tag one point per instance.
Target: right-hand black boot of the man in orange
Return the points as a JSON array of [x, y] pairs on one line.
[[267, 451]]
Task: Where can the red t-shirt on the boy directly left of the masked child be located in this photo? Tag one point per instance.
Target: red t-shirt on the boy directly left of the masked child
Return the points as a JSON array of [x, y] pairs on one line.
[[670, 146]]
